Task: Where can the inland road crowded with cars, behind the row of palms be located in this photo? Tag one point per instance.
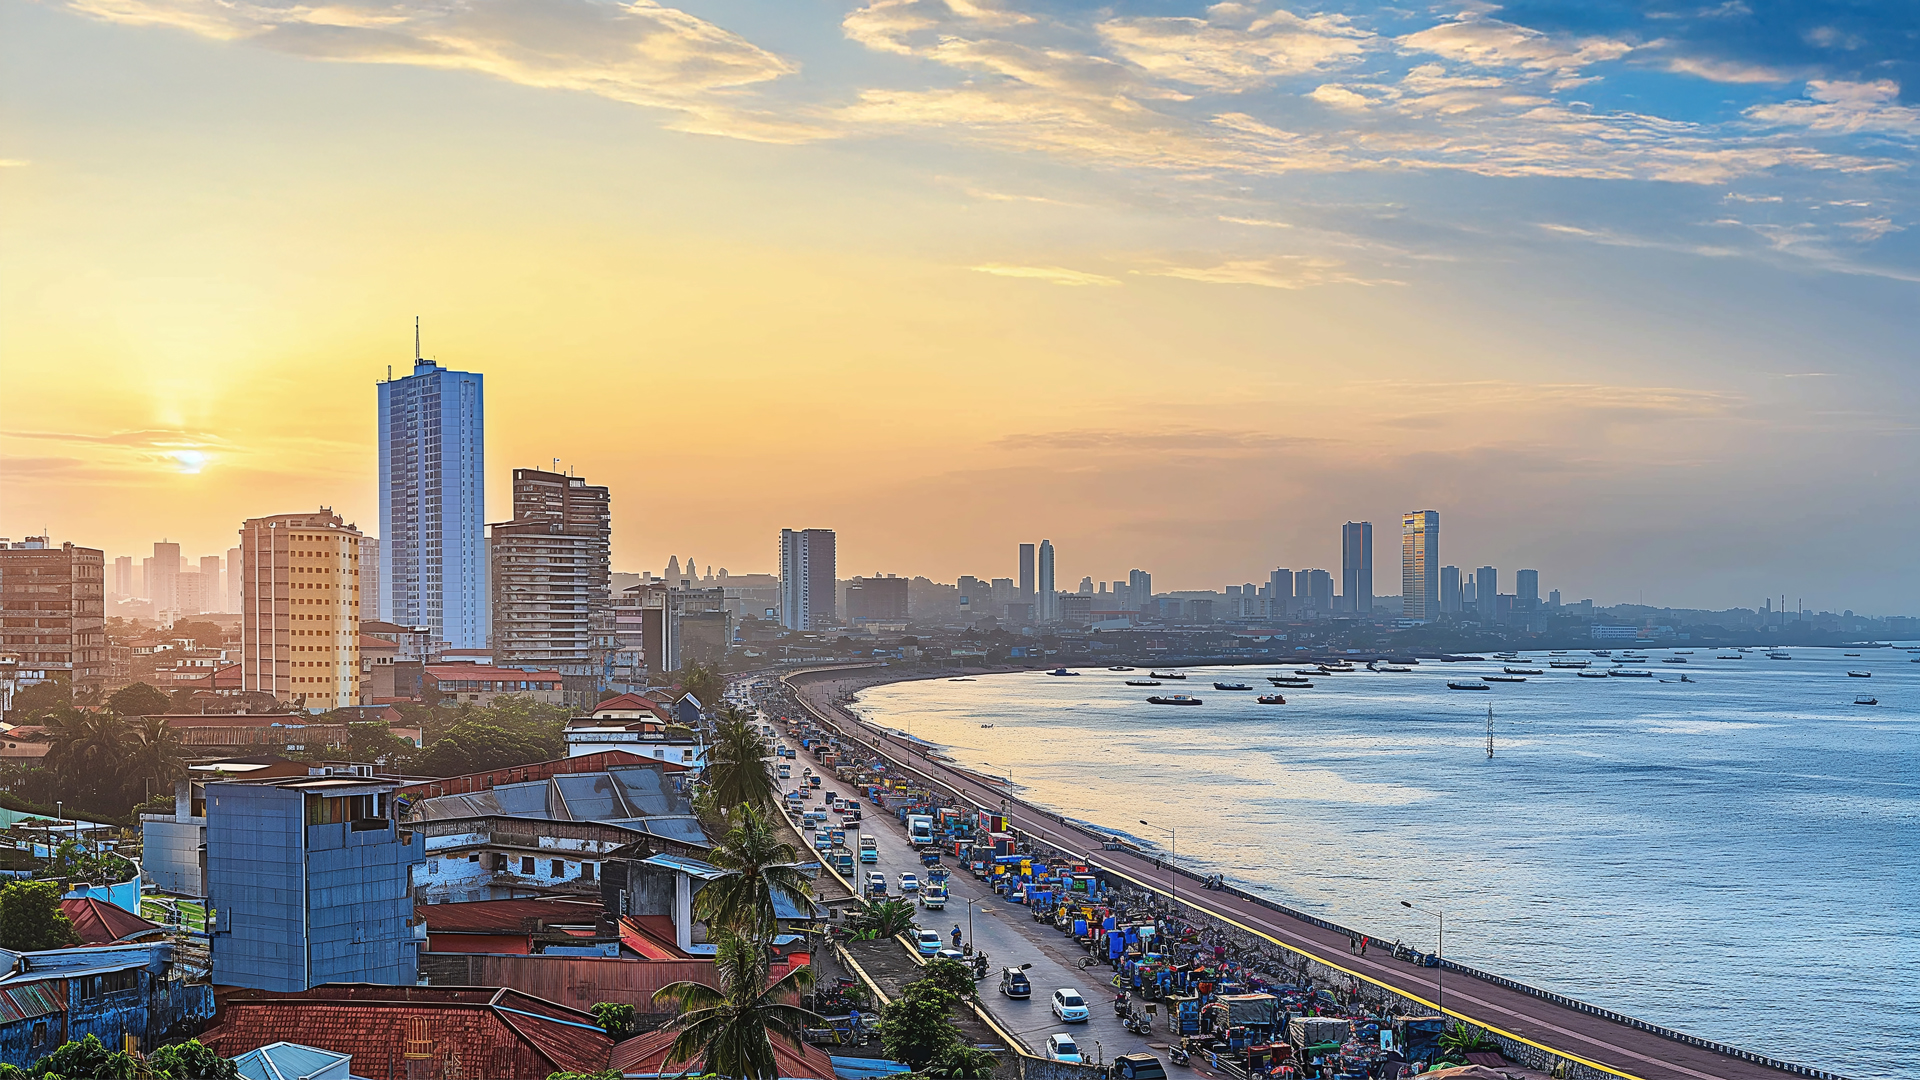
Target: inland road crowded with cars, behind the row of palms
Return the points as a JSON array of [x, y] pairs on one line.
[[1005, 931]]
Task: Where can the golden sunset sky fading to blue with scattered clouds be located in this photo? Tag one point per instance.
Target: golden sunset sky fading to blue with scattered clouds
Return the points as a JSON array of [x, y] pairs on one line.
[[1627, 291]]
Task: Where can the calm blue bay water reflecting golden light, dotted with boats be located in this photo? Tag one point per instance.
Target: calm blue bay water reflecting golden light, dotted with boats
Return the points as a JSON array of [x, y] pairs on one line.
[[1735, 856]]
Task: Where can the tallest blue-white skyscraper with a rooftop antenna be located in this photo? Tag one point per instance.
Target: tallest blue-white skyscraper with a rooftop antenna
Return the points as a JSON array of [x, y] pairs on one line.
[[433, 503]]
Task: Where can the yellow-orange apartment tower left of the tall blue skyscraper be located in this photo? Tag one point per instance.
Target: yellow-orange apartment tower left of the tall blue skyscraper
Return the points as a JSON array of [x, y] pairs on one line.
[[300, 622]]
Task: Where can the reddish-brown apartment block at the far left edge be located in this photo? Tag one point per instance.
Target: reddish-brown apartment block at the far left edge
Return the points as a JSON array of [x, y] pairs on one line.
[[53, 612]]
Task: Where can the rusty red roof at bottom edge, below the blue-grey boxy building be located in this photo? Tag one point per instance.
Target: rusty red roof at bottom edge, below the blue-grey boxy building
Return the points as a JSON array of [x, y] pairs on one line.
[[454, 1031]]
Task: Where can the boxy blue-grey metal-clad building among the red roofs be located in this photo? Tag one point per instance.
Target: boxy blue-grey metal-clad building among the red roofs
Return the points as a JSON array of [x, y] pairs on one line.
[[310, 881]]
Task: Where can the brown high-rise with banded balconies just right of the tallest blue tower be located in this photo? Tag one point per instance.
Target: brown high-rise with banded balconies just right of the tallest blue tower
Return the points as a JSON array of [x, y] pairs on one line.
[[552, 572]]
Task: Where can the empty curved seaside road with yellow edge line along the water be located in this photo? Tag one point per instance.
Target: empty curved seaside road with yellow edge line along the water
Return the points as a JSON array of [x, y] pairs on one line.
[[1600, 1043]]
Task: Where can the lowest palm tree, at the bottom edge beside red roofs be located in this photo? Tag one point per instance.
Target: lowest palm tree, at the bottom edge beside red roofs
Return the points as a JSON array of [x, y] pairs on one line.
[[729, 1031]]
